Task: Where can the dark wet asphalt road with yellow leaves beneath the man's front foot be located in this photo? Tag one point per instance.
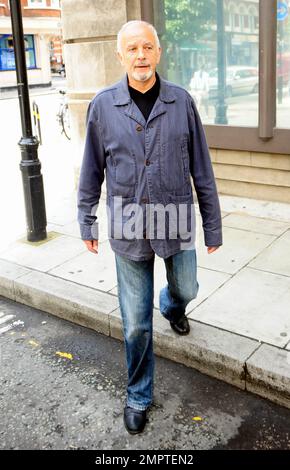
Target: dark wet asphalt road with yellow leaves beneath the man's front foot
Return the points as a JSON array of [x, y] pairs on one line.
[[64, 387]]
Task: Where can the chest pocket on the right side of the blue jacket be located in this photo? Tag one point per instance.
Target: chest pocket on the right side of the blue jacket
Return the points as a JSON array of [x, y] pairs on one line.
[[174, 164]]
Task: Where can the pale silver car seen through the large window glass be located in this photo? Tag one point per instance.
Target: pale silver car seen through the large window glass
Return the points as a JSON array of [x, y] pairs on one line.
[[240, 80]]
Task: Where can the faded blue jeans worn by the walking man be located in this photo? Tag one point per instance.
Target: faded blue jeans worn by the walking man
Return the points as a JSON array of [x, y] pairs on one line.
[[136, 291]]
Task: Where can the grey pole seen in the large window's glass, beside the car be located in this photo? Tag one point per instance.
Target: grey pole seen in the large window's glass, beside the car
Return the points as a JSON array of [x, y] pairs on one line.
[[221, 107]]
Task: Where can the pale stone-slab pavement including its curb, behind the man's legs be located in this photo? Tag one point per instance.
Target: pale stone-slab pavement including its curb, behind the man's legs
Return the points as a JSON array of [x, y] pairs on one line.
[[240, 321]]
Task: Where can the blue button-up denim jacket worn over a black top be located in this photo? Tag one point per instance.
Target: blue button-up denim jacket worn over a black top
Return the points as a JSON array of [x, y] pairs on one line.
[[146, 163]]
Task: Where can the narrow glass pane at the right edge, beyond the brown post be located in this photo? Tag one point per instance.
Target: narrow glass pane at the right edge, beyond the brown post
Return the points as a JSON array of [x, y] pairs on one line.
[[283, 64]]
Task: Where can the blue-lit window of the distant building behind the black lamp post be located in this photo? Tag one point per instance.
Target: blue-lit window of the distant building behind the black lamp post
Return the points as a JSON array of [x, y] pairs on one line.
[[7, 59]]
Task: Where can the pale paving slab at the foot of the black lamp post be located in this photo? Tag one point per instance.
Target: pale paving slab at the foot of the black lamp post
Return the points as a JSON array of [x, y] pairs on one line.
[[43, 256]]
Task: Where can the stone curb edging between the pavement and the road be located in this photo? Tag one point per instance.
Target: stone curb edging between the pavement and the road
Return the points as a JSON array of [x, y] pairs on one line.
[[246, 363]]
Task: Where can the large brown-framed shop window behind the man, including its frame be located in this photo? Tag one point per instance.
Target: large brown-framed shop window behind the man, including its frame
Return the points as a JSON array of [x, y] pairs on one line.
[[228, 41]]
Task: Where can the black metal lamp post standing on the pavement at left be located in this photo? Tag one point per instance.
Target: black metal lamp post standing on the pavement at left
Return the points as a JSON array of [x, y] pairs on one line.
[[30, 166]]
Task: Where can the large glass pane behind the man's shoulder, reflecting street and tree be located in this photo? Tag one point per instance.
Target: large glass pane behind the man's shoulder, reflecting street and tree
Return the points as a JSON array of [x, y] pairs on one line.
[[206, 40]]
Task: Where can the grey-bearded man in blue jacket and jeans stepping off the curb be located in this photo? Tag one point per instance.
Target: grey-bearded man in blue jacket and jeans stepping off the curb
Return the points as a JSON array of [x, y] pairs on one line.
[[146, 135]]
